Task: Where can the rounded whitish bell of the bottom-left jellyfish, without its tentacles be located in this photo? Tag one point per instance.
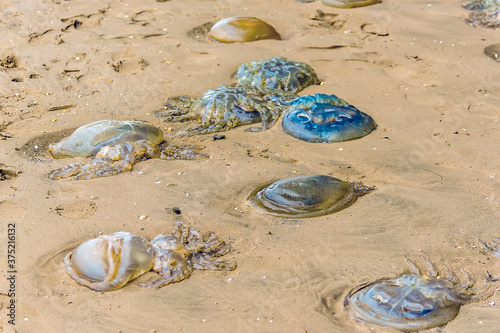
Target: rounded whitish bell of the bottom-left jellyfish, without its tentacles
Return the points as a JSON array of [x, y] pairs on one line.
[[108, 262]]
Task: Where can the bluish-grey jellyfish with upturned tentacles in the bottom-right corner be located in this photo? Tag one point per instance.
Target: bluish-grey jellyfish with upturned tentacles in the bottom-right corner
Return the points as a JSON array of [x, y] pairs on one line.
[[412, 302]]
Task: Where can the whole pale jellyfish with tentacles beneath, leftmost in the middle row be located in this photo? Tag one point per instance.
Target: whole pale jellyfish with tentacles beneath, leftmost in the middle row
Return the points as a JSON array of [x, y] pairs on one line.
[[114, 147]]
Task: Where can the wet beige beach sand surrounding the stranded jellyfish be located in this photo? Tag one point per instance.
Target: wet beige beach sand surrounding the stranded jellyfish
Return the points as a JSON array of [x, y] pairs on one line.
[[416, 67]]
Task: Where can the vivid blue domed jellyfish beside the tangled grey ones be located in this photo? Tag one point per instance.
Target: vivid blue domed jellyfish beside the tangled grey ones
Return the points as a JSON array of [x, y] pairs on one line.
[[326, 118]]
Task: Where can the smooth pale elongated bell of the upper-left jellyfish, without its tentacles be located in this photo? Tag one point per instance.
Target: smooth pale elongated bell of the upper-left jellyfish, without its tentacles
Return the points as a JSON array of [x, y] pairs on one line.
[[89, 139]]
